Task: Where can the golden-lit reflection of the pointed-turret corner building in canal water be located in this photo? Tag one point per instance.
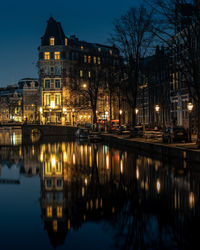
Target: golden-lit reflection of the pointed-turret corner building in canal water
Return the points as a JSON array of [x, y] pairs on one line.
[[77, 185]]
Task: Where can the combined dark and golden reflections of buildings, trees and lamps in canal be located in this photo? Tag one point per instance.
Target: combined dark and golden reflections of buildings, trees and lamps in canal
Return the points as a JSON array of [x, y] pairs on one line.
[[144, 203]]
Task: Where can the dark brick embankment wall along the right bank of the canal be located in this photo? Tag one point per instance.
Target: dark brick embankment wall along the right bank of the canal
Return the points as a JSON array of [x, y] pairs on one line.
[[185, 151]]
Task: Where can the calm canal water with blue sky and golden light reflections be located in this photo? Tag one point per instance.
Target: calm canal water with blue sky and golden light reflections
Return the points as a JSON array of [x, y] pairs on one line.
[[74, 195]]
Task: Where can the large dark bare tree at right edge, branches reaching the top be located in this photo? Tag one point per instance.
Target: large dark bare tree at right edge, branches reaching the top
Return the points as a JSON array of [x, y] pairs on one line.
[[179, 29]]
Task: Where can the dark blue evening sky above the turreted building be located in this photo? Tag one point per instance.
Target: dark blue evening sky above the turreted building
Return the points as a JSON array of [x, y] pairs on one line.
[[23, 22]]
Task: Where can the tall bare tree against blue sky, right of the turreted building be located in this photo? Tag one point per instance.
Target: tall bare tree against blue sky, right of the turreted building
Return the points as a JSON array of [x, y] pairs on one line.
[[133, 36]]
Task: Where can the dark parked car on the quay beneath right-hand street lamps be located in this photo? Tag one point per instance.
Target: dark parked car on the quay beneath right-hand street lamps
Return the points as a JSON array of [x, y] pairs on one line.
[[176, 134]]
